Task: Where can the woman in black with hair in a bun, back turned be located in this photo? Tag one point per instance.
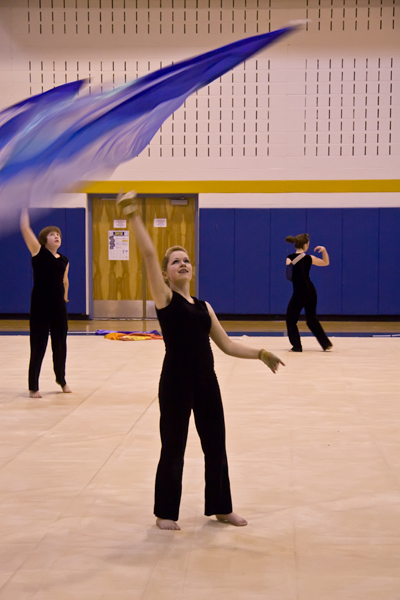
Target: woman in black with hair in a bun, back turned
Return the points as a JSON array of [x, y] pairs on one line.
[[304, 293]]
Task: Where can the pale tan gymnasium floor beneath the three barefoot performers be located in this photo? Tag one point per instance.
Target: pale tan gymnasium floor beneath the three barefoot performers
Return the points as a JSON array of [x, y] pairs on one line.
[[314, 454]]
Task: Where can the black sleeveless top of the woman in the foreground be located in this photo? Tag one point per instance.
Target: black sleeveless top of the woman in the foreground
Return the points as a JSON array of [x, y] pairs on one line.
[[186, 329]]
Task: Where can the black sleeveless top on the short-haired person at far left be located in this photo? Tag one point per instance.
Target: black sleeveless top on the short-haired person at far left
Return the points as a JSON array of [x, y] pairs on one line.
[[48, 280]]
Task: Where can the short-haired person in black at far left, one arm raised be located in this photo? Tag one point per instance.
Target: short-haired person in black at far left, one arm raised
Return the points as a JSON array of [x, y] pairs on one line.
[[48, 302]]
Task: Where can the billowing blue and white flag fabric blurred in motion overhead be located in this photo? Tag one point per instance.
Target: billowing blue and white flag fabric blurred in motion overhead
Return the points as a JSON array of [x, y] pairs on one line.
[[54, 140]]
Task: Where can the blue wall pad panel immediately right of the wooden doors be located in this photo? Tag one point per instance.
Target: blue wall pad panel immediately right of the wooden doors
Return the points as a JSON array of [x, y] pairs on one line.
[[217, 258]]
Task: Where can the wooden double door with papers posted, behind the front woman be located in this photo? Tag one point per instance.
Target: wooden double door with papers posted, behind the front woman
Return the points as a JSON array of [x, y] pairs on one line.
[[119, 278]]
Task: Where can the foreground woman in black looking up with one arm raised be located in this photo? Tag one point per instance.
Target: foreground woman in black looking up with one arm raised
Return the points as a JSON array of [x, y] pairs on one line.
[[188, 381]]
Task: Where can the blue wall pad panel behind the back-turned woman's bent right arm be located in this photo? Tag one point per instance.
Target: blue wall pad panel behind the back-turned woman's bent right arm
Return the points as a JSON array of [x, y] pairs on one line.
[[325, 228]]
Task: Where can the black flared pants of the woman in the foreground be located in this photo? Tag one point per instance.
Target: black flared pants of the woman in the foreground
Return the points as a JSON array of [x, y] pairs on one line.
[[177, 399]]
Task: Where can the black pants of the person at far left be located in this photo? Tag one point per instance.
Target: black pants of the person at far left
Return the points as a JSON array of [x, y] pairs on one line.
[[54, 322]]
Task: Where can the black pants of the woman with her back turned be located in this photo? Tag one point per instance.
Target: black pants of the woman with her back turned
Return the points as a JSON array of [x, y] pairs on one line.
[[308, 301]]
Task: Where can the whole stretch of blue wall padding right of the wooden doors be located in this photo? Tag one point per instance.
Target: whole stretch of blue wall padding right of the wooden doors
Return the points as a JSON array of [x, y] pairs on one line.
[[362, 279]]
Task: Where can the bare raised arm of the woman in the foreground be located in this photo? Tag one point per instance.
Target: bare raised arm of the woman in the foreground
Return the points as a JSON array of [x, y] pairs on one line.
[[160, 292]]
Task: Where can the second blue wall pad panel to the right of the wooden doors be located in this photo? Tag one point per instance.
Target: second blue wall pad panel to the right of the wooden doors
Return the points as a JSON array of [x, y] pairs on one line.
[[252, 261]]
